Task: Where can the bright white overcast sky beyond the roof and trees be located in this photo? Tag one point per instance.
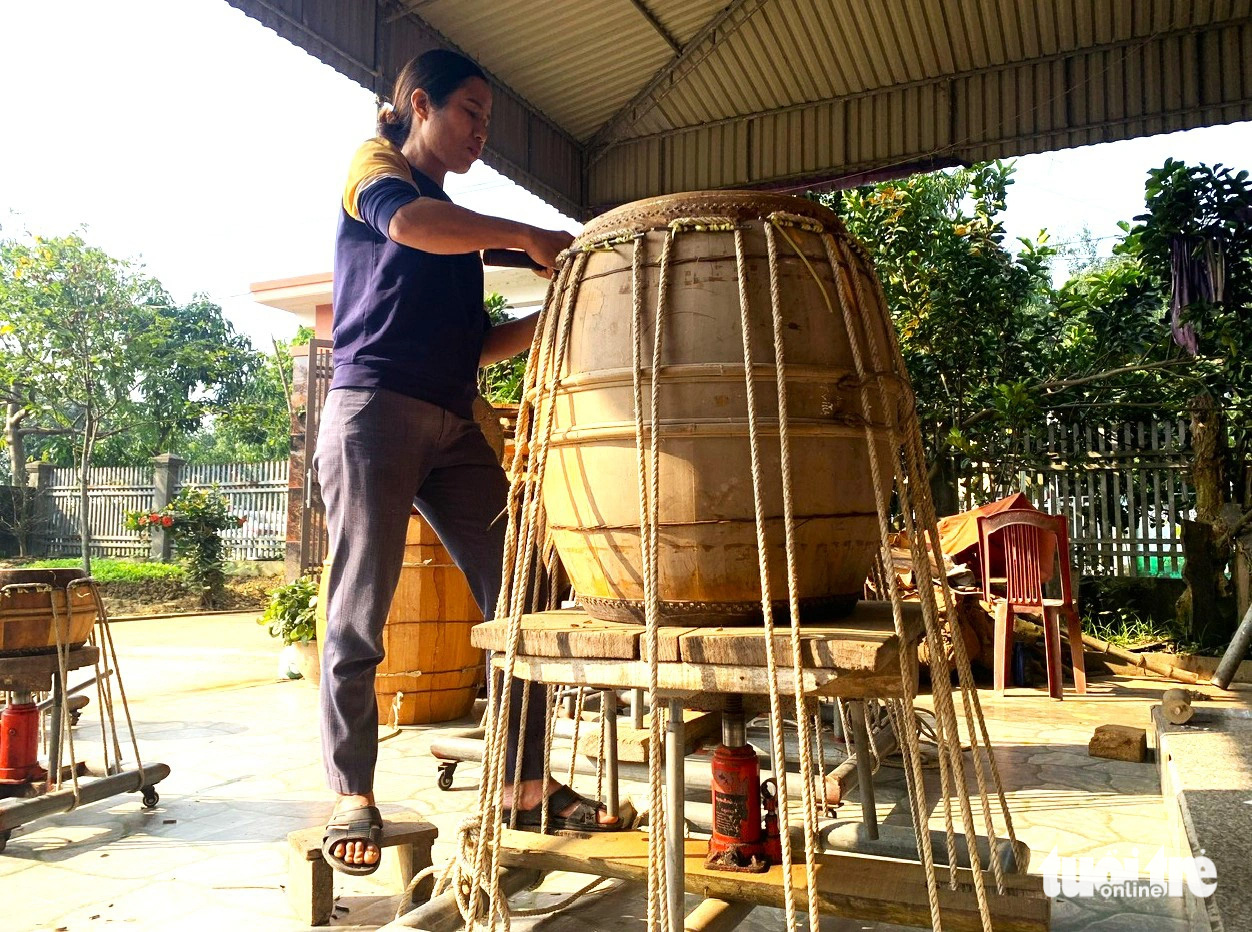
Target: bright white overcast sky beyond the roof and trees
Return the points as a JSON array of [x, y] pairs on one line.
[[186, 136]]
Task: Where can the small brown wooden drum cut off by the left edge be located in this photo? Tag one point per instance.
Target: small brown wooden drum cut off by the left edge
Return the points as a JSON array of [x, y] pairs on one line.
[[29, 618]]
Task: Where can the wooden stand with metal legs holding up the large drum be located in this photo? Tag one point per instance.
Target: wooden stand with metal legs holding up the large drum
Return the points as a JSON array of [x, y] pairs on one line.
[[854, 660]]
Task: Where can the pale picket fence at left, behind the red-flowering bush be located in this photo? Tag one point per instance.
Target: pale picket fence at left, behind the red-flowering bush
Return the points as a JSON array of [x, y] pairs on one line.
[[256, 490]]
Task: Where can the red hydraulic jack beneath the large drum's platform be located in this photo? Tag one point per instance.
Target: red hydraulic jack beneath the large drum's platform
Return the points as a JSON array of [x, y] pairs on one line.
[[741, 841]]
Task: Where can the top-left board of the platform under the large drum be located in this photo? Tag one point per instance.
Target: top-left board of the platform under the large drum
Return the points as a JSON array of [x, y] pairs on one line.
[[564, 633]]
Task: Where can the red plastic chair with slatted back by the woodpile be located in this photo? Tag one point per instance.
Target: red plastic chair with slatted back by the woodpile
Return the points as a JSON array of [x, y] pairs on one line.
[[1026, 541]]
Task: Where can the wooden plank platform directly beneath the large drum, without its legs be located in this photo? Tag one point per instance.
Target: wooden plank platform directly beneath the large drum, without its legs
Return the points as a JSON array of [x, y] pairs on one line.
[[857, 657]]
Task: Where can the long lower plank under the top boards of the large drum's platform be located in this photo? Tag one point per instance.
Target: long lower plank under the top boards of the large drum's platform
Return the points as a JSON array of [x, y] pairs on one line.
[[688, 680]]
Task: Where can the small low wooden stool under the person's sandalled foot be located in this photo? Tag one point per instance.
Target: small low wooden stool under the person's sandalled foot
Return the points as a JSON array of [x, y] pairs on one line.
[[311, 881]]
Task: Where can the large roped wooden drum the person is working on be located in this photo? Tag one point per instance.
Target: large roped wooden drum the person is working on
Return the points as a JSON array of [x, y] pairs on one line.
[[709, 557]]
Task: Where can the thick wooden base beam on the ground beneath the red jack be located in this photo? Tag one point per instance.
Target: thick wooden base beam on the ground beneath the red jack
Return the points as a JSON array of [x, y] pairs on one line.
[[849, 886]]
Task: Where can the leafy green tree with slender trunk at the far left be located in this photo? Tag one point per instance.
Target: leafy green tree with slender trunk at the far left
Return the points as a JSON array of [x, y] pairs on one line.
[[95, 356]]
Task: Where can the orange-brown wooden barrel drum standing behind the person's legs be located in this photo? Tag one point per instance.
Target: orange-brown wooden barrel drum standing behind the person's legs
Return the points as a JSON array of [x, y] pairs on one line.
[[426, 641]]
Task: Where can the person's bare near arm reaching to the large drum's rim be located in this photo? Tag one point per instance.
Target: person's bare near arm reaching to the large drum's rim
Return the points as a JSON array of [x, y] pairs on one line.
[[444, 229]]
